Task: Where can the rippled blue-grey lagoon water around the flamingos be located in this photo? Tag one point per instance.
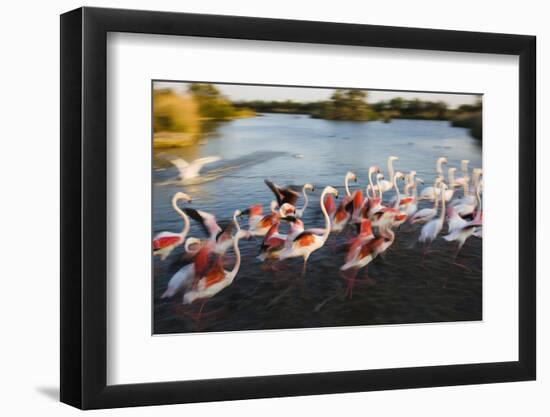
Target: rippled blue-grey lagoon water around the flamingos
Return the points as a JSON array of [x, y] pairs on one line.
[[295, 149]]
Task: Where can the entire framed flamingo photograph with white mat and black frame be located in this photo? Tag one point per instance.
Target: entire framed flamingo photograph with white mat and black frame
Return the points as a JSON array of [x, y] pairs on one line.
[[258, 208]]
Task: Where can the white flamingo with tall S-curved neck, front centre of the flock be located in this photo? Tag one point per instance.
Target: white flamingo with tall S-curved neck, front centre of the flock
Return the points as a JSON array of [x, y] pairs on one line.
[[309, 241]]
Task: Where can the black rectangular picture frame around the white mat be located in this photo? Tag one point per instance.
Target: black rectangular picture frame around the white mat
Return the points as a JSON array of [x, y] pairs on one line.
[[84, 207]]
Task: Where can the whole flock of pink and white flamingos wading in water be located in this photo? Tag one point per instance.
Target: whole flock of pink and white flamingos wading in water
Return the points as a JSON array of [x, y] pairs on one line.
[[456, 200]]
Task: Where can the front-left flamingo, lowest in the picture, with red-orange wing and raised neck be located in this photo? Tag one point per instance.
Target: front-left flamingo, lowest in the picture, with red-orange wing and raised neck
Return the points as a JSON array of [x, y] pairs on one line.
[[216, 278]]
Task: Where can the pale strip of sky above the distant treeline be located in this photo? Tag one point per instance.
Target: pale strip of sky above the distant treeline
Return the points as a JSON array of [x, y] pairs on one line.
[[237, 92]]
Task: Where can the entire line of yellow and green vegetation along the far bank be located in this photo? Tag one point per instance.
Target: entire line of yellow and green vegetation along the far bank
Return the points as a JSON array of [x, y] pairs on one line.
[[184, 119]]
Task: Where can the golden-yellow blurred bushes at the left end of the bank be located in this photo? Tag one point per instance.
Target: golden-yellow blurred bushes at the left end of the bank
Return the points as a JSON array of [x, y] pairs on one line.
[[183, 119]]
